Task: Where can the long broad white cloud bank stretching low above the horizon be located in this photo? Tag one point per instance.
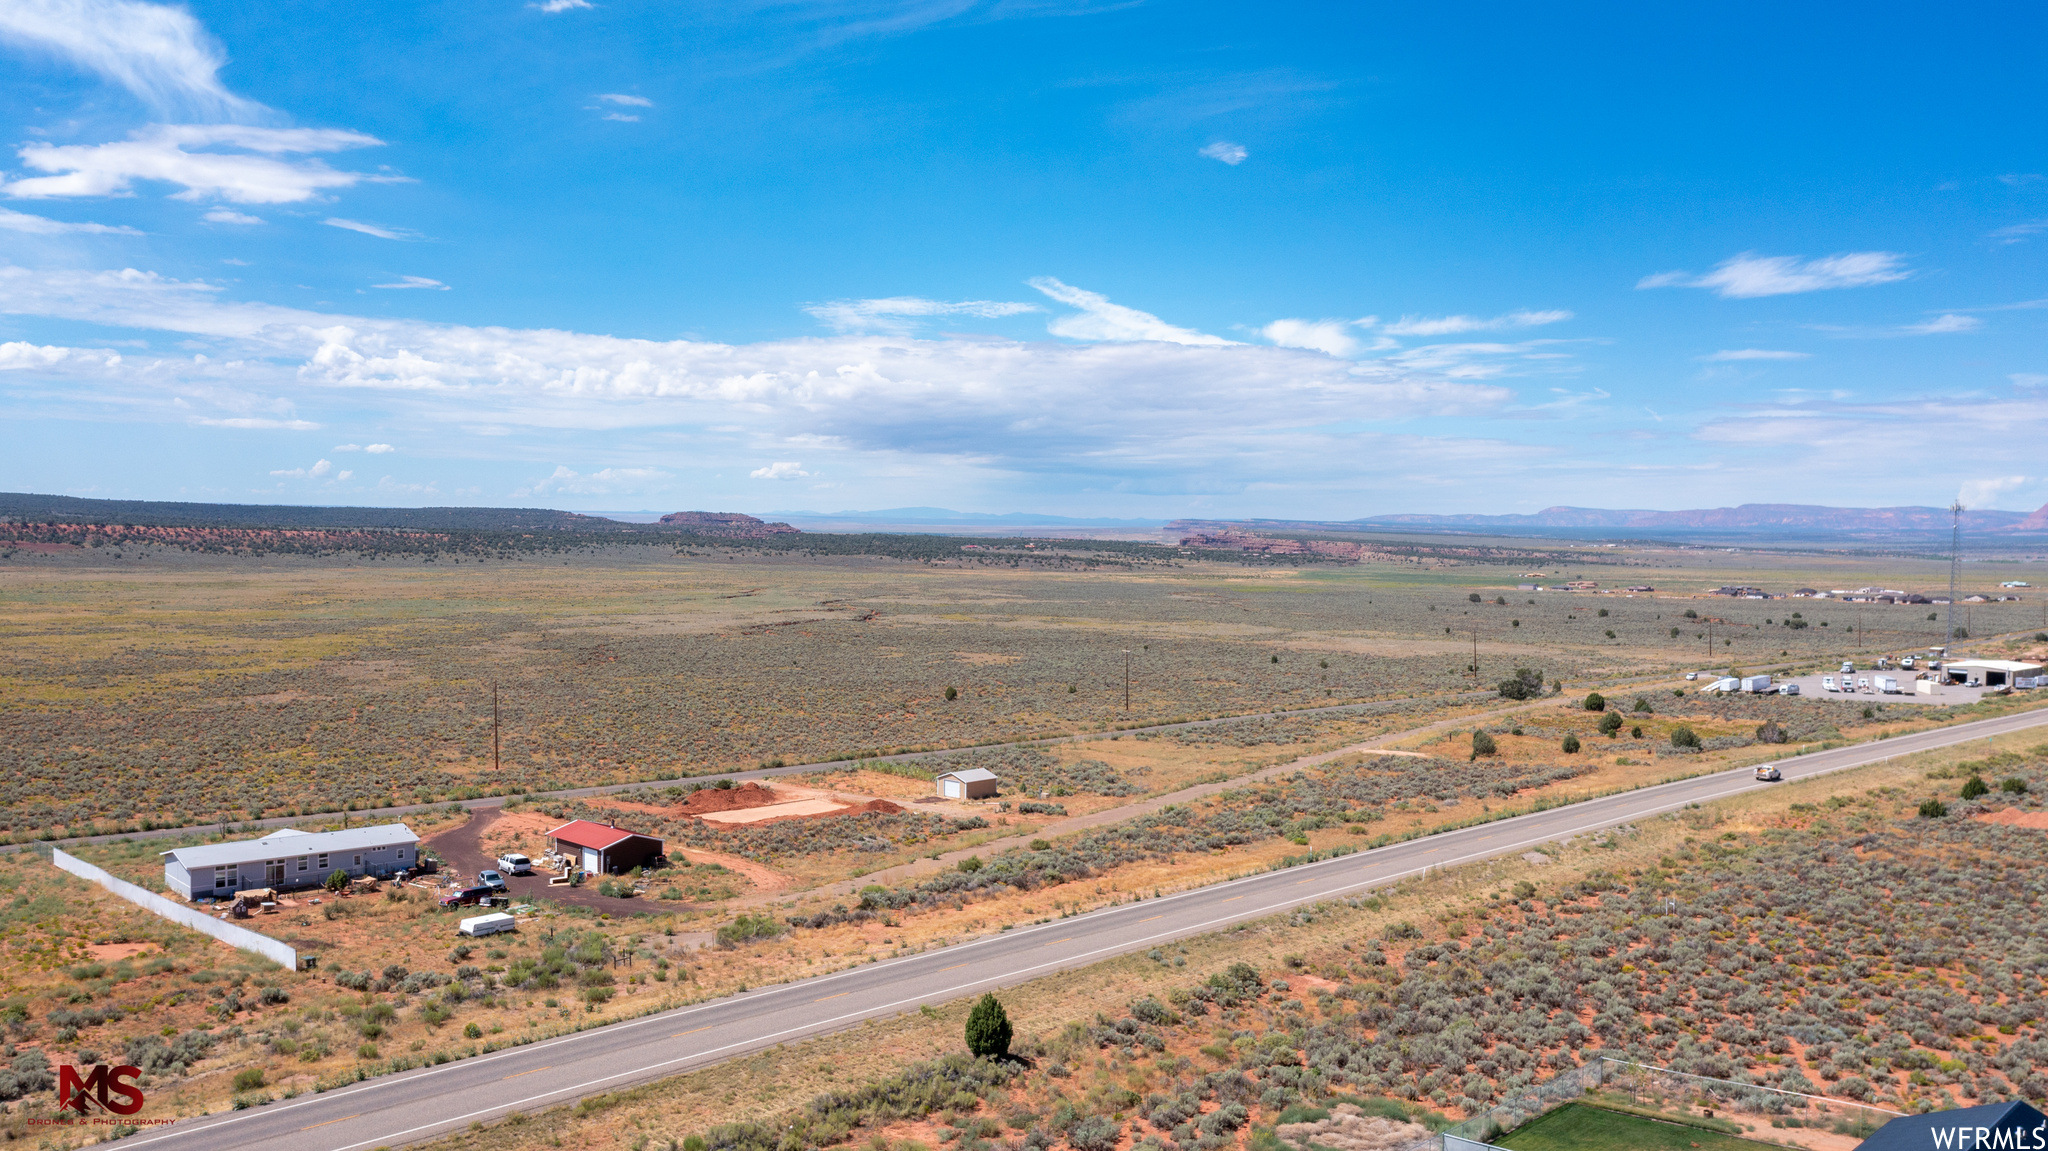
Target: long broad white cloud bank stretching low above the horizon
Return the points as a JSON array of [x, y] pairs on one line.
[[1127, 411]]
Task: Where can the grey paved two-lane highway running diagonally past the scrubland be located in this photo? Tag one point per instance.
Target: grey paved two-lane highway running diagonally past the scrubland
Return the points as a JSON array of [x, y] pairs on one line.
[[433, 1101]]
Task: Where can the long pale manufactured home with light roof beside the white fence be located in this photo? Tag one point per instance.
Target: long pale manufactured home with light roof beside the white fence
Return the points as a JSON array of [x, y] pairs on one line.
[[290, 859]]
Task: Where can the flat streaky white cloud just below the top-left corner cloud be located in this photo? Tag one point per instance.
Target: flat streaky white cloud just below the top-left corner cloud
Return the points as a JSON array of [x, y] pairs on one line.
[[161, 153]]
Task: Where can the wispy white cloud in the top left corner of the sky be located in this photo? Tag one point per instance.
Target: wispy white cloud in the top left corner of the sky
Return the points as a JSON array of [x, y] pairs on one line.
[[157, 52]]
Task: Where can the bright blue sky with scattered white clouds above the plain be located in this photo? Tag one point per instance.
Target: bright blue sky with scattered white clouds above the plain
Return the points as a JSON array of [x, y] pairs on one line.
[[1097, 259]]
